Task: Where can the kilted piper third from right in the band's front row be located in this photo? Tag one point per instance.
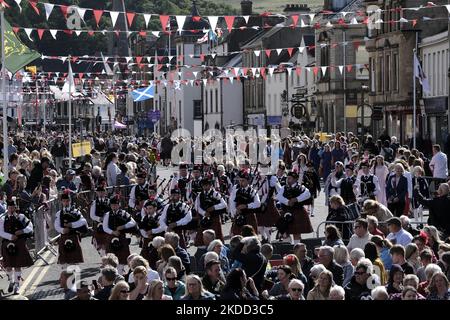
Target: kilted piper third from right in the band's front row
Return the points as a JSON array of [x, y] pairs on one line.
[[209, 205]]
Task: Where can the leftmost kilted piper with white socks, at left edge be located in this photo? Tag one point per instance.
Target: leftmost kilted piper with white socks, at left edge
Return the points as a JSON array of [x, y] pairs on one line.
[[14, 229]]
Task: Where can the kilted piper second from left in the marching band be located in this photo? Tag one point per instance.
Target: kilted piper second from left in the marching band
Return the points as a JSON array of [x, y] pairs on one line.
[[70, 223]]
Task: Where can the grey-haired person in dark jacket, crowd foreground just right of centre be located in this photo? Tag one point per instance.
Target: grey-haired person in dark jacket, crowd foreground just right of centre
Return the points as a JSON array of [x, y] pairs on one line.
[[248, 252]]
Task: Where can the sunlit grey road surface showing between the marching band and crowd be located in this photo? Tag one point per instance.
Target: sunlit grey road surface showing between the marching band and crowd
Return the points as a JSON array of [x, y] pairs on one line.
[[41, 281]]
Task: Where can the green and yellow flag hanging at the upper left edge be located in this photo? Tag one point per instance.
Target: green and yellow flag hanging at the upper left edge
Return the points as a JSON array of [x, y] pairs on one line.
[[17, 55]]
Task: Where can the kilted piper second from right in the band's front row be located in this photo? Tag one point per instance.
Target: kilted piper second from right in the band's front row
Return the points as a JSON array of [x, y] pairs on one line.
[[244, 203]]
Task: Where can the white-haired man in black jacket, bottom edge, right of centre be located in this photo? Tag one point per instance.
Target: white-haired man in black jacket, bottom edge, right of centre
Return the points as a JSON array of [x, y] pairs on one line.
[[357, 288]]
